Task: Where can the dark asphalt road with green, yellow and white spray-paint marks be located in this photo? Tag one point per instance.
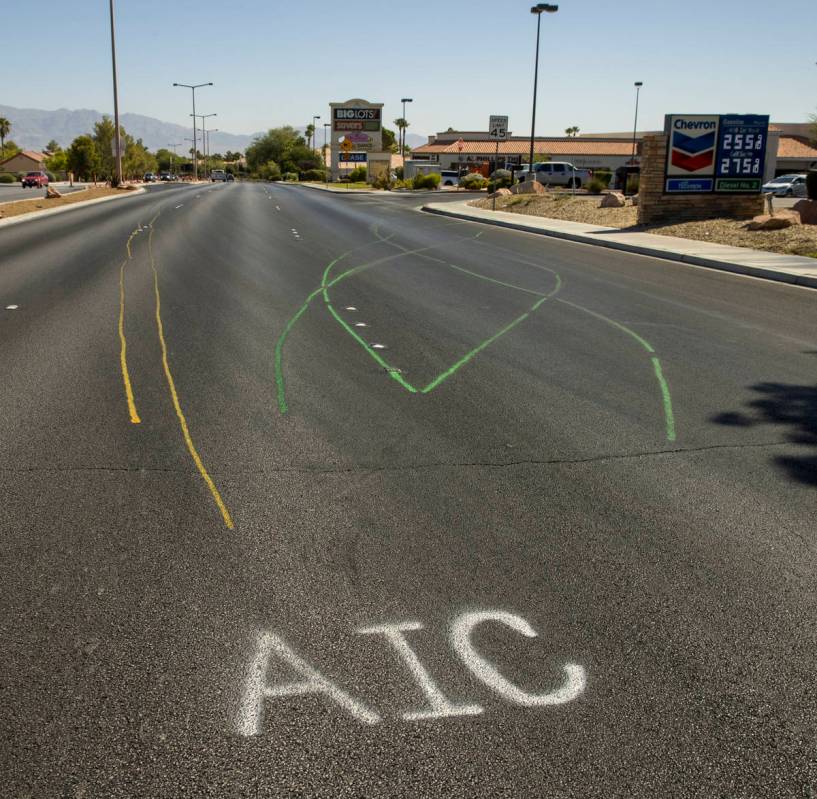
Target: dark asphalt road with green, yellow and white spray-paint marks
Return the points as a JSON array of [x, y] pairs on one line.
[[554, 538]]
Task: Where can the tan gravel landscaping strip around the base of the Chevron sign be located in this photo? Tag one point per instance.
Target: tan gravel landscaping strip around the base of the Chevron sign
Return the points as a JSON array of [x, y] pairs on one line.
[[798, 240]]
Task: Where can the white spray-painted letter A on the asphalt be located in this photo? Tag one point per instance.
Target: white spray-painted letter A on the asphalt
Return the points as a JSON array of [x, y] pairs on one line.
[[250, 717]]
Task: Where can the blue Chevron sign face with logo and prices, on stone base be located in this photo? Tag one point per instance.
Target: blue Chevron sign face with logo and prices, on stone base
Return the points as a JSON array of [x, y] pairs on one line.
[[725, 153]]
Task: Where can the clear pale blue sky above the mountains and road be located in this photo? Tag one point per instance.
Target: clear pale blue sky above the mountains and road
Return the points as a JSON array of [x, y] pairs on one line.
[[281, 61]]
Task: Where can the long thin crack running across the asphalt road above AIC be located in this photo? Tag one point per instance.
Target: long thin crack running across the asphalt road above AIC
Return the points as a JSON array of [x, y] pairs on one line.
[[363, 469]]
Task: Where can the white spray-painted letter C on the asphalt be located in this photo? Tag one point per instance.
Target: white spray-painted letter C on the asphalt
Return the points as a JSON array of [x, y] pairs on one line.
[[483, 669]]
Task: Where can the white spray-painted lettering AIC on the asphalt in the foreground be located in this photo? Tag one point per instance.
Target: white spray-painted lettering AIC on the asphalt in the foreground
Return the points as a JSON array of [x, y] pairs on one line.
[[268, 646]]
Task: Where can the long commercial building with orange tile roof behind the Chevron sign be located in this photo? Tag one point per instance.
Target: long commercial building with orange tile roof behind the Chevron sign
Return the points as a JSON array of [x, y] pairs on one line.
[[475, 151]]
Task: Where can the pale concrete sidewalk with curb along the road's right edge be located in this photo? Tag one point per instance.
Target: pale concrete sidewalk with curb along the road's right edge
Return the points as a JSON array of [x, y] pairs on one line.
[[794, 269]]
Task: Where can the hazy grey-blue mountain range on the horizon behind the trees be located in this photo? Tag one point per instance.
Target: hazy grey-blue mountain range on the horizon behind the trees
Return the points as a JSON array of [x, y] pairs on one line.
[[33, 128]]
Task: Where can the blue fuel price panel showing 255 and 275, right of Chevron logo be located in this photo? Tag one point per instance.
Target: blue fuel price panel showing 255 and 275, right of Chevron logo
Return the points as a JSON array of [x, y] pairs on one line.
[[741, 153]]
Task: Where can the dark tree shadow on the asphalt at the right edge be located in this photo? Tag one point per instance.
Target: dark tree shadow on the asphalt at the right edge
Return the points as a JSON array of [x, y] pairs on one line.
[[784, 405]]
